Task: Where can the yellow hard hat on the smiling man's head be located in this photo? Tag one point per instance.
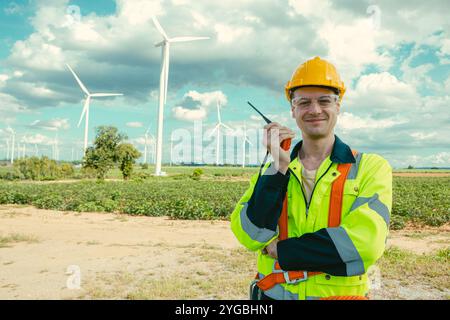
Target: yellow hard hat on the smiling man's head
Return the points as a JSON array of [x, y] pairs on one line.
[[315, 72]]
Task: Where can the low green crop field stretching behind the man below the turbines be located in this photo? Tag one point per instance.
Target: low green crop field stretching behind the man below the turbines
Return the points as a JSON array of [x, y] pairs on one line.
[[423, 200]]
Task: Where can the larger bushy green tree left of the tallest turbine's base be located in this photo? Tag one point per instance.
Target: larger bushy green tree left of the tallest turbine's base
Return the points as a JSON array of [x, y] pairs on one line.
[[103, 155]]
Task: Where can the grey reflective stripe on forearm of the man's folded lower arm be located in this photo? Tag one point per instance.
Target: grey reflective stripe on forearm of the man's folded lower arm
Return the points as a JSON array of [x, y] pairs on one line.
[[347, 251]]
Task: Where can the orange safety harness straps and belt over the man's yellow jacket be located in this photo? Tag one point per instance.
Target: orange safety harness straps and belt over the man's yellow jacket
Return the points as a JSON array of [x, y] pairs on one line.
[[334, 220]]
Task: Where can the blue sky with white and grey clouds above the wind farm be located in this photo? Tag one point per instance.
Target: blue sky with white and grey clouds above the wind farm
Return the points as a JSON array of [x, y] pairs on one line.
[[394, 57]]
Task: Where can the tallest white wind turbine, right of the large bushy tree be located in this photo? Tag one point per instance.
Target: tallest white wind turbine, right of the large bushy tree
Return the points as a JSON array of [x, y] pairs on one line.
[[163, 84]]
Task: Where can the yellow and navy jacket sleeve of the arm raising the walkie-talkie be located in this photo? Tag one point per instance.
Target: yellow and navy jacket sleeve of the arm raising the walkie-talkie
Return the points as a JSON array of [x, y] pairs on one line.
[[254, 220]]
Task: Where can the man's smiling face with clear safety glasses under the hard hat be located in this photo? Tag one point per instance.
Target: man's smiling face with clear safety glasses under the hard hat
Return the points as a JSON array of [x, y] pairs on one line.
[[317, 119]]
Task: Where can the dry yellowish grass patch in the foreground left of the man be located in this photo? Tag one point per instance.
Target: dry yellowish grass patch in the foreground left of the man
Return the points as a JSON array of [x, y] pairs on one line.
[[205, 272]]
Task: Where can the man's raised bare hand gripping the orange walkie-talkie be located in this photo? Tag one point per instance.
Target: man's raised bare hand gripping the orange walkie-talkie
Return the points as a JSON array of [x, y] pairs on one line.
[[274, 135]]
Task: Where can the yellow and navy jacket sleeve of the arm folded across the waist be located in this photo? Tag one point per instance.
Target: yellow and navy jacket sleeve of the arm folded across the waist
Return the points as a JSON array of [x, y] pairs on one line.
[[359, 241]]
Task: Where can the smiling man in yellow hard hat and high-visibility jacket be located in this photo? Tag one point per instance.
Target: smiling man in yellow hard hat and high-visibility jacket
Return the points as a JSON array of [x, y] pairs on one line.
[[319, 217]]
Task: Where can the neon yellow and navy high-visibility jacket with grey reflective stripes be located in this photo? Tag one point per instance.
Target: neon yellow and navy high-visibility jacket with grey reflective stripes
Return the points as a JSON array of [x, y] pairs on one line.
[[339, 257]]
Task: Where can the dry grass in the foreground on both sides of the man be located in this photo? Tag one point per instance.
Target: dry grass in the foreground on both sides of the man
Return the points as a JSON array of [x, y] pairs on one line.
[[209, 272]]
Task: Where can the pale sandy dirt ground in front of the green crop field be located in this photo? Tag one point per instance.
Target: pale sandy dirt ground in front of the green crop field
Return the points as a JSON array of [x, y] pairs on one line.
[[43, 253]]
